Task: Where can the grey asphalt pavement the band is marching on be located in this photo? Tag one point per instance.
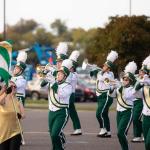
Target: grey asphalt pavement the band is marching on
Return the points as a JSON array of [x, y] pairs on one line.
[[37, 137]]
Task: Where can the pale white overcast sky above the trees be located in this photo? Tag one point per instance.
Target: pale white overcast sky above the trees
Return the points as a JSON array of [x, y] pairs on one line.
[[76, 13]]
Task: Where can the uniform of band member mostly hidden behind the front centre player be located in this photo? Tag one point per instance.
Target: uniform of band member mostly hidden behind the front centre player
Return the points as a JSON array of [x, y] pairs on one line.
[[72, 79]]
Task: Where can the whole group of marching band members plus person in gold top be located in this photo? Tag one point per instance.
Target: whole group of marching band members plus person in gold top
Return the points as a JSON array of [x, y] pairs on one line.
[[132, 93]]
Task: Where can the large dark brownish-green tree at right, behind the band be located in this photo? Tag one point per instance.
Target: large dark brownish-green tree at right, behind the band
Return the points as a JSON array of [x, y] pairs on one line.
[[129, 36]]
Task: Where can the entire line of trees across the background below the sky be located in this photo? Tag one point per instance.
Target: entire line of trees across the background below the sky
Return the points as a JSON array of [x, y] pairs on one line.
[[129, 36]]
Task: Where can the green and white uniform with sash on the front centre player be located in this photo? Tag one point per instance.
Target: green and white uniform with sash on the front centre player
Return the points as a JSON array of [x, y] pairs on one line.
[[59, 95]]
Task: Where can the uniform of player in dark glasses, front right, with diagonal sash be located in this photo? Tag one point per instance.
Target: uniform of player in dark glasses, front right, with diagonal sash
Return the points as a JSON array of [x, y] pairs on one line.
[[125, 97]]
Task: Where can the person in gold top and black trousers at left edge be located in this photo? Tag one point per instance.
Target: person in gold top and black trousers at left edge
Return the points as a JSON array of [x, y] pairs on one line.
[[10, 132]]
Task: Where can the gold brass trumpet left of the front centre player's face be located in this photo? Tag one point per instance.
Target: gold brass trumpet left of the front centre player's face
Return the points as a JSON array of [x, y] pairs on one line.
[[43, 70]]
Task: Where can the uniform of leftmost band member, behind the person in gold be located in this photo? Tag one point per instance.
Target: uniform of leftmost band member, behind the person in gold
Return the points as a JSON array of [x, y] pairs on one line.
[[21, 83]]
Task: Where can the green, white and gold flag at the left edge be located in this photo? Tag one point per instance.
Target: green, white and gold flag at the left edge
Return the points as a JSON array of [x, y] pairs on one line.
[[5, 60]]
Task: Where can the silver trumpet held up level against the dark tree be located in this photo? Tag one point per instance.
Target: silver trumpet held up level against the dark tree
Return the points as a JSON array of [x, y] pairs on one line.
[[90, 67]]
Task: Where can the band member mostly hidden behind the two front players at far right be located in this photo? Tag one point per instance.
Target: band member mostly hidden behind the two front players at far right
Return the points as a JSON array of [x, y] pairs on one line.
[[138, 105]]
